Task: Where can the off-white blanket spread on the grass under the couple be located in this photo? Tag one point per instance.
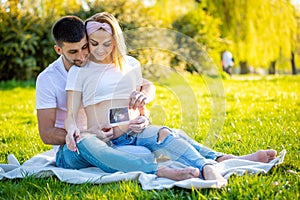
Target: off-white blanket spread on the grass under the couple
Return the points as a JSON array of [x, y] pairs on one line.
[[43, 165]]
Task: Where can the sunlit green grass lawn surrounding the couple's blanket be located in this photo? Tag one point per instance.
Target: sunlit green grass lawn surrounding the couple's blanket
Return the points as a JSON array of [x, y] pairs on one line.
[[261, 112]]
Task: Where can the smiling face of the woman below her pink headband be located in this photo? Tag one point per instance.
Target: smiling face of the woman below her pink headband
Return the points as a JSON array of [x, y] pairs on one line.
[[101, 45]]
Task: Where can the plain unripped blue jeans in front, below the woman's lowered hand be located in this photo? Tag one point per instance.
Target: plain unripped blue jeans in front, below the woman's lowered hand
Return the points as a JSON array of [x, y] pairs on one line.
[[93, 152]]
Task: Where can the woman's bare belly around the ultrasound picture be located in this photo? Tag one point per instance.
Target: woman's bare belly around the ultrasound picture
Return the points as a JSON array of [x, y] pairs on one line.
[[98, 115]]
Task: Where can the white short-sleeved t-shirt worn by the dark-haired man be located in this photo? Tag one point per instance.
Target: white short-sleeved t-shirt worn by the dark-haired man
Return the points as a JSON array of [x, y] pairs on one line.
[[51, 93]]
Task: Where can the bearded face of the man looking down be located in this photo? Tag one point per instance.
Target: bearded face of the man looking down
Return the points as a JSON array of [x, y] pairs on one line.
[[74, 53]]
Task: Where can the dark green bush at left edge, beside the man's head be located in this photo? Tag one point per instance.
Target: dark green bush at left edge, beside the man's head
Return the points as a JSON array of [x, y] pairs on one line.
[[25, 41]]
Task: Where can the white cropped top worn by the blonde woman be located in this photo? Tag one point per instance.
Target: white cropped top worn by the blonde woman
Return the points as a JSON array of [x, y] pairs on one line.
[[100, 82]]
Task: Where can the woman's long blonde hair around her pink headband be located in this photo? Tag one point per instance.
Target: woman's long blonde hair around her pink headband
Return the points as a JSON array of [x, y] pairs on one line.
[[118, 54]]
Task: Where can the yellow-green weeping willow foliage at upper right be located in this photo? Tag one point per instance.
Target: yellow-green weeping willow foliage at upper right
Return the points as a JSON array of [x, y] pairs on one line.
[[259, 35]]
